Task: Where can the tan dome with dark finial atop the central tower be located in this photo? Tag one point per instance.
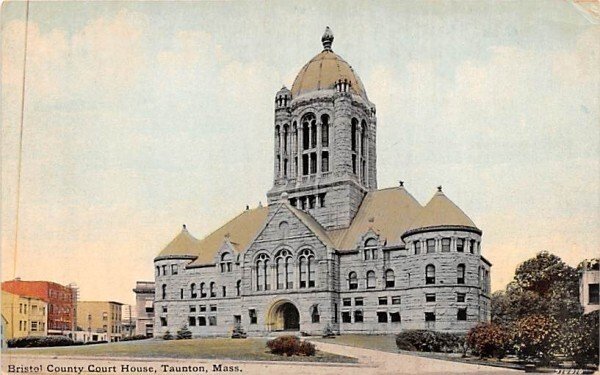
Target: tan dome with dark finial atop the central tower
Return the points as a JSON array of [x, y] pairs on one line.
[[324, 70]]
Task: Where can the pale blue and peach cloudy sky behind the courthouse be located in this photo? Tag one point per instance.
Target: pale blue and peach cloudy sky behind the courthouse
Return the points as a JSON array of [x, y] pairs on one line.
[[142, 116]]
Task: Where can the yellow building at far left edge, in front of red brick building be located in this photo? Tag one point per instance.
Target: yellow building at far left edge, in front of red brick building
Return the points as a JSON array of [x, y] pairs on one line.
[[24, 315]]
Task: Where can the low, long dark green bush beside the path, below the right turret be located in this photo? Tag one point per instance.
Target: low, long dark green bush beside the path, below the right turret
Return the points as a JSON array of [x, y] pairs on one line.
[[430, 341]]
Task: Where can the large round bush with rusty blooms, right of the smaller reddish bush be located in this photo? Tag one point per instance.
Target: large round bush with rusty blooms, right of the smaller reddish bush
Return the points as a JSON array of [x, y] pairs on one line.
[[536, 337]]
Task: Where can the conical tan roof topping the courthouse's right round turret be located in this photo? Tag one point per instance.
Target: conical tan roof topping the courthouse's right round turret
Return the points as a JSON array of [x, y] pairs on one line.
[[441, 211]]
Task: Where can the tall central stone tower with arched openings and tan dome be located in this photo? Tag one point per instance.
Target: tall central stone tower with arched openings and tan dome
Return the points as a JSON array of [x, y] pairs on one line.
[[325, 131]]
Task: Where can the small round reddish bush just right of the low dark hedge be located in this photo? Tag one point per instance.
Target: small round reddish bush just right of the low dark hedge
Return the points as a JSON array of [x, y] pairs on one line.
[[488, 340]]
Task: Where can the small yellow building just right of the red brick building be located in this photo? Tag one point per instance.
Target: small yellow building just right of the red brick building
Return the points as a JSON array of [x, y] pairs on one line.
[[100, 317]]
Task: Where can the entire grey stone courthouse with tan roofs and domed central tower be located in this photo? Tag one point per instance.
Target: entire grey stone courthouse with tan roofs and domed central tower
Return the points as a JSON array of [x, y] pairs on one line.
[[329, 249]]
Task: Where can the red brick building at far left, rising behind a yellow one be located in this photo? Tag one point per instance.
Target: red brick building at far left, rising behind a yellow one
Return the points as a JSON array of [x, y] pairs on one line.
[[62, 301]]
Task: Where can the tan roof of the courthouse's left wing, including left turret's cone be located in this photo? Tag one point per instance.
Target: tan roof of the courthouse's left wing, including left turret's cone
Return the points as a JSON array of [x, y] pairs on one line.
[[240, 230]]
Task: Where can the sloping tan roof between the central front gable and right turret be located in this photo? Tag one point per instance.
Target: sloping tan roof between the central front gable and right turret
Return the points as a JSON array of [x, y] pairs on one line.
[[387, 212]]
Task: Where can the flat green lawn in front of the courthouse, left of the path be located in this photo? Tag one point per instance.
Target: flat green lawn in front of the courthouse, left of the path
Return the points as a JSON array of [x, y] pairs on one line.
[[251, 349]]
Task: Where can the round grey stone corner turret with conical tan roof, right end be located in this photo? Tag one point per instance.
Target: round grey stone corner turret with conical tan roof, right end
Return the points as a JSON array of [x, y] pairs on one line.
[[448, 278]]
